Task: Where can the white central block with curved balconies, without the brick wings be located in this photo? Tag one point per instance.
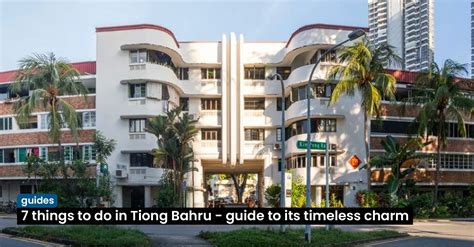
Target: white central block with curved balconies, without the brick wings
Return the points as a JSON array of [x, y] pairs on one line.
[[142, 70]]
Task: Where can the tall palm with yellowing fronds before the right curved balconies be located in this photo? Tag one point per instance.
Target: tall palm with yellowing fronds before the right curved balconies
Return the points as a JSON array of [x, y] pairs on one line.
[[362, 69]]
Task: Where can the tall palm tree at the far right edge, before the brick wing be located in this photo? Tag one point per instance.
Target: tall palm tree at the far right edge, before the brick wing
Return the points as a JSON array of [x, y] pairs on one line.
[[438, 93]]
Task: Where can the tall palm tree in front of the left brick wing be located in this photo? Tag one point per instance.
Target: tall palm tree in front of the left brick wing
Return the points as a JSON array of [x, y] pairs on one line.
[[47, 78]]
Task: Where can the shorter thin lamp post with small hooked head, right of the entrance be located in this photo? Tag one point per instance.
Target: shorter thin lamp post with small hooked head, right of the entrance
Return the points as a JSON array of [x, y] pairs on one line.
[[283, 161]]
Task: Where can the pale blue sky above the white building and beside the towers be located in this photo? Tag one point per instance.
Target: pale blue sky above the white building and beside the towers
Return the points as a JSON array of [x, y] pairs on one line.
[[67, 28]]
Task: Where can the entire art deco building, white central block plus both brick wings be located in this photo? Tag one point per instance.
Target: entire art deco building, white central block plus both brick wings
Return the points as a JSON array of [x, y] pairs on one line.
[[143, 71]]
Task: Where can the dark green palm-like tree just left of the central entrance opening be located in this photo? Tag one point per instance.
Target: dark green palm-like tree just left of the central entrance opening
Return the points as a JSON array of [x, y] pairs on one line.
[[175, 132]]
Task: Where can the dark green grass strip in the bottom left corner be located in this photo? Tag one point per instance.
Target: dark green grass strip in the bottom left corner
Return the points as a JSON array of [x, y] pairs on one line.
[[91, 235]]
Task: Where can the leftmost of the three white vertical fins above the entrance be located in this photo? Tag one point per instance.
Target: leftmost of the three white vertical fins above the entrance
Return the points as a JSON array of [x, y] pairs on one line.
[[224, 111]]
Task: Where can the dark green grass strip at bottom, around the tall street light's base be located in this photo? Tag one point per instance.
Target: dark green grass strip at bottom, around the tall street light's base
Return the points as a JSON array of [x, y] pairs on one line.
[[292, 237]]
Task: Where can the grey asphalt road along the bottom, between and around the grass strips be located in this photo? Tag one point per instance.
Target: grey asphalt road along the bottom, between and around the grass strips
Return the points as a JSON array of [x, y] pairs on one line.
[[439, 233]]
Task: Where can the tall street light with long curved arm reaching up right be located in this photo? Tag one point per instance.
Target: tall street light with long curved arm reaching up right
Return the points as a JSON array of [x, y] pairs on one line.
[[352, 36]]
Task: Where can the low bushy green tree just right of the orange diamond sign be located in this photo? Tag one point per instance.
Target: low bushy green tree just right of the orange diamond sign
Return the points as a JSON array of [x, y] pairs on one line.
[[403, 161]]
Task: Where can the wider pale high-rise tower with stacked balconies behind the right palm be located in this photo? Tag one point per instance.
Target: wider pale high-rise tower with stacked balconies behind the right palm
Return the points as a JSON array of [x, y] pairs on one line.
[[408, 25]]
